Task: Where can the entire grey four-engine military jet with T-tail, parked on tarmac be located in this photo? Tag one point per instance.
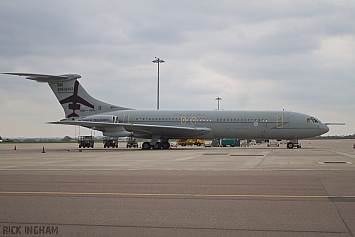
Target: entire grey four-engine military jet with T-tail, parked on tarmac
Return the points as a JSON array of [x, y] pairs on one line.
[[161, 125]]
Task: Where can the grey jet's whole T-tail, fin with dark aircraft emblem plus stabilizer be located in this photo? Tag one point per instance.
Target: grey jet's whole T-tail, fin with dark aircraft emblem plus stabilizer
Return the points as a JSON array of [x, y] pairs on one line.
[[76, 102]]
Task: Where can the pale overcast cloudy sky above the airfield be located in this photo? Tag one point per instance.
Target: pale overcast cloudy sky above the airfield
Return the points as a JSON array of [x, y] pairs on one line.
[[255, 55]]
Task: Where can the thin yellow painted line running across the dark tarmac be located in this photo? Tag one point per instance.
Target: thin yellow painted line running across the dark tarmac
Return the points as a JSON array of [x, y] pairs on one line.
[[174, 195]]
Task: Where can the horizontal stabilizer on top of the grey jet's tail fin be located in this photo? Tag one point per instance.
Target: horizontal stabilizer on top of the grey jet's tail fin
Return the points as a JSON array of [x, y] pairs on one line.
[[46, 78]]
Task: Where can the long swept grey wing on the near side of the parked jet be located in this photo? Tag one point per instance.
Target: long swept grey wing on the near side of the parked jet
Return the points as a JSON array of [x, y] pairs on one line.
[[164, 131]]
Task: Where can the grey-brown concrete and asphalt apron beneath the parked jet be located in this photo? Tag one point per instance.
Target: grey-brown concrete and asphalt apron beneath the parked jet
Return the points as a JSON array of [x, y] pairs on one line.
[[57, 189]]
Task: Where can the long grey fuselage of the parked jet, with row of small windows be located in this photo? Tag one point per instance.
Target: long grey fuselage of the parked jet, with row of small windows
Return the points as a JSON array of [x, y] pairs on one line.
[[228, 124]]
